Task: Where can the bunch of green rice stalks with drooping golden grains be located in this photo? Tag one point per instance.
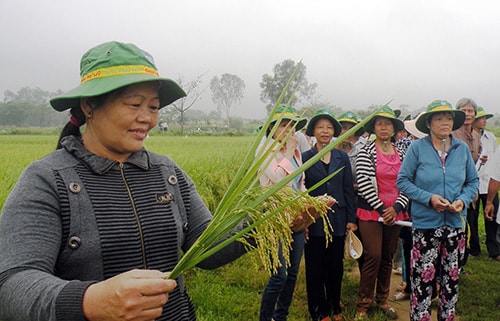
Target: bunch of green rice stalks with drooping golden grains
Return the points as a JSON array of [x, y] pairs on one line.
[[245, 202]]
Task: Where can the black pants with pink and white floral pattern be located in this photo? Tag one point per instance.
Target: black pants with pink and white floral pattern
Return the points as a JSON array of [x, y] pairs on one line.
[[437, 254]]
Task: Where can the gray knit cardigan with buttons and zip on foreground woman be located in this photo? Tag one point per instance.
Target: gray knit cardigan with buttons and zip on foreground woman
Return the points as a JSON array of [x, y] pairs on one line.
[[74, 218]]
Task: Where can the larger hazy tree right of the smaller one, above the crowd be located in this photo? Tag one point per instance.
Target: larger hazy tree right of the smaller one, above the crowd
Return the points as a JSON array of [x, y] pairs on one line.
[[273, 85]]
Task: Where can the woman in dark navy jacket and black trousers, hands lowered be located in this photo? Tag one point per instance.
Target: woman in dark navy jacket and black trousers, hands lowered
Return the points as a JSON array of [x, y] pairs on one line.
[[324, 265]]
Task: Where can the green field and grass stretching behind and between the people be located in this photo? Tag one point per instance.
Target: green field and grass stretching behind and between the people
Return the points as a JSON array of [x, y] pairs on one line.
[[233, 292]]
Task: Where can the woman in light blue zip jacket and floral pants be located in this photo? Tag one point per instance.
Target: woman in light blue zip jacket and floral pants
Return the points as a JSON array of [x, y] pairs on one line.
[[438, 174]]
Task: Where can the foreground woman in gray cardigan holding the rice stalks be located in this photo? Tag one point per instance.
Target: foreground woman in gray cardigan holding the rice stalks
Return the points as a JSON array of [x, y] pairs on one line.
[[92, 229]]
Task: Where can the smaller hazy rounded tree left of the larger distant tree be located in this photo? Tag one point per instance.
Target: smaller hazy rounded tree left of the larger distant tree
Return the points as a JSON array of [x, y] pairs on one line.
[[226, 91]]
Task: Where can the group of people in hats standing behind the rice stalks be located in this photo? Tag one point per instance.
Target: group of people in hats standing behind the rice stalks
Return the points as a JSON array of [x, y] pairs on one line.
[[429, 178]]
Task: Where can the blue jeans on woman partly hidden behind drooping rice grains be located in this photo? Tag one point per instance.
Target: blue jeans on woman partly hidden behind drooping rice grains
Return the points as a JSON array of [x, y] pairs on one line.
[[277, 295]]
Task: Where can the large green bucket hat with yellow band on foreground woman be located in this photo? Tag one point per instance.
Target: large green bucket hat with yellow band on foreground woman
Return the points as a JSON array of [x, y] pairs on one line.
[[113, 65]]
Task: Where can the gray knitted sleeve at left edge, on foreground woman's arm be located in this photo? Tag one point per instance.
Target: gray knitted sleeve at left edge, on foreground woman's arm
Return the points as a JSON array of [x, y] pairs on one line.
[[30, 237]]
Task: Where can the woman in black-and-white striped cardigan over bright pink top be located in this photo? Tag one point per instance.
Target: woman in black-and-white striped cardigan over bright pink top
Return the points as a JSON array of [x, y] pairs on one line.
[[377, 167]]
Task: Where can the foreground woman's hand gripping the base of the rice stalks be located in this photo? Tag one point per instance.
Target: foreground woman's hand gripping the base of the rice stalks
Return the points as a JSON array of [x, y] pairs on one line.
[[133, 295]]
